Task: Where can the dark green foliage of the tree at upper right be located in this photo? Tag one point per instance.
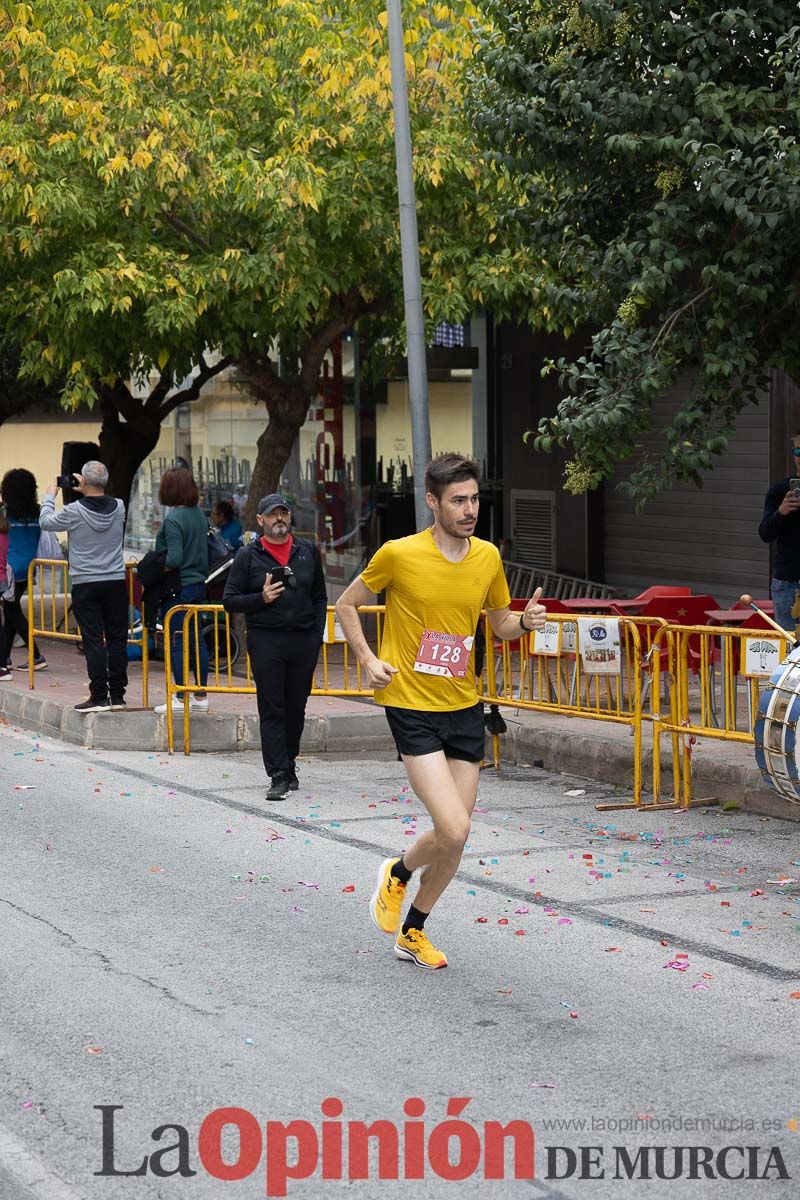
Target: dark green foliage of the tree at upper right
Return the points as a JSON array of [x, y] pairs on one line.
[[657, 149]]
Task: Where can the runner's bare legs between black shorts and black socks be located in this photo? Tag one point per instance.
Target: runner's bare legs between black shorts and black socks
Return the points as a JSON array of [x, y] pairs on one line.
[[448, 788]]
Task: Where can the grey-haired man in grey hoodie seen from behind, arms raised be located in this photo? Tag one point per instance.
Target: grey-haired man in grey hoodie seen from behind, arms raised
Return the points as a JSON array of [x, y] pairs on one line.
[[100, 599]]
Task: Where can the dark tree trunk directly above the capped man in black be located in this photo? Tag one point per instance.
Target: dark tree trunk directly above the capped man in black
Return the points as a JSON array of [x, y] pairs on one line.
[[287, 405]]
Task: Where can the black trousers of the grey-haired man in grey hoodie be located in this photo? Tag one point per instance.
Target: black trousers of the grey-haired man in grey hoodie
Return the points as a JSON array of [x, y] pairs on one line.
[[103, 613]]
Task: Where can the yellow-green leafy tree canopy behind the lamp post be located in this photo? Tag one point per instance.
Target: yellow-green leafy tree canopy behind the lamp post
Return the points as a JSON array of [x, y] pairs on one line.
[[187, 185]]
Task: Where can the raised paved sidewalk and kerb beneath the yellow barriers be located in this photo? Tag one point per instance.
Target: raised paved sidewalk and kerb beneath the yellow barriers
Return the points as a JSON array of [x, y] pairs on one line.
[[600, 751]]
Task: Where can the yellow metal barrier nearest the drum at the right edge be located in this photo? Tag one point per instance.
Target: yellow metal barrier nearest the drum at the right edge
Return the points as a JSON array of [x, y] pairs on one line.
[[696, 655]]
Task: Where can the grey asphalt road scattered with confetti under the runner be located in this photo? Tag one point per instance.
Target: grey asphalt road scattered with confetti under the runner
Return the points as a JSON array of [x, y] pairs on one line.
[[173, 945]]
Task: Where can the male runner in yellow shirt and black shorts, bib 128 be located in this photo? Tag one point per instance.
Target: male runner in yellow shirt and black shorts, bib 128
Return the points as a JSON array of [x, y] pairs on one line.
[[437, 583]]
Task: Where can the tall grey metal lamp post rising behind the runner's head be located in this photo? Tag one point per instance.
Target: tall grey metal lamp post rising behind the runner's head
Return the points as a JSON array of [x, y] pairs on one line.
[[418, 380]]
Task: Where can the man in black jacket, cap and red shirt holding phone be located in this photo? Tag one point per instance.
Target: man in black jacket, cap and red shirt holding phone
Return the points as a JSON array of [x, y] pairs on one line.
[[286, 622]]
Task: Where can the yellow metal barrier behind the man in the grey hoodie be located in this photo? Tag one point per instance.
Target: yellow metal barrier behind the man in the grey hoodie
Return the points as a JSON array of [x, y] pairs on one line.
[[46, 603]]
